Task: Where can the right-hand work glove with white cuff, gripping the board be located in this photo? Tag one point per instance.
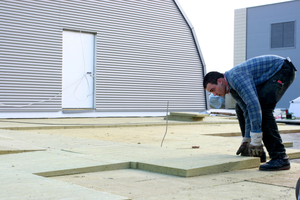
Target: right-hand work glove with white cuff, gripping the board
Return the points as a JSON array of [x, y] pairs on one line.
[[256, 147]]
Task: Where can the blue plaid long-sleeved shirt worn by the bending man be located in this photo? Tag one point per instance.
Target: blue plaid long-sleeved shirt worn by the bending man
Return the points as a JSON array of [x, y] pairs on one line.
[[245, 78]]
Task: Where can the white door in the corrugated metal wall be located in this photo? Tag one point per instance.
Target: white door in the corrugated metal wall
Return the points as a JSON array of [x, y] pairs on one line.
[[78, 70]]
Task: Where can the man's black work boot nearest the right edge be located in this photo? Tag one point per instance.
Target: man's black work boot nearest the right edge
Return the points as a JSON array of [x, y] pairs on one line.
[[276, 164]]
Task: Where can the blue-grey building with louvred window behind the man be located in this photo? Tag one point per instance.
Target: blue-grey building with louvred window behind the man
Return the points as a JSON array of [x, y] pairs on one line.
[[270, 29]]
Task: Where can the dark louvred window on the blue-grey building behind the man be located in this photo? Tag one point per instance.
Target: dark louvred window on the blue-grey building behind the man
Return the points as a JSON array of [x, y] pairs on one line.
[[282, 35]]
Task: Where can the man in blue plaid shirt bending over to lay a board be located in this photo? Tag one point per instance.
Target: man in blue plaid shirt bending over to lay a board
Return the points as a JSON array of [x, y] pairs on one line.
[[257, 85]]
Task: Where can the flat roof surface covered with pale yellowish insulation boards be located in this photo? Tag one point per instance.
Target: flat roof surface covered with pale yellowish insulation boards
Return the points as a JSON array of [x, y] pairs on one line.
[[124, 158]]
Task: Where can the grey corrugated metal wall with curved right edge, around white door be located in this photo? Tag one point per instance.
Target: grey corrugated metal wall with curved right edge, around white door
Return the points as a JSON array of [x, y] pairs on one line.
[[146, 55]]
